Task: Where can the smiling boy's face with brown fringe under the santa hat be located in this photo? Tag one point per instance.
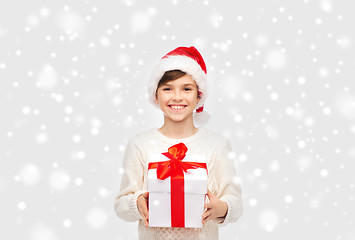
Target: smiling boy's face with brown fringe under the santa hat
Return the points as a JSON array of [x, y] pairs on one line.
[[178, 98]]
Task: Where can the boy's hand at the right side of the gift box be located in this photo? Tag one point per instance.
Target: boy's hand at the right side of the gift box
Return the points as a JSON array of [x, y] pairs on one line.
[[215, 208]]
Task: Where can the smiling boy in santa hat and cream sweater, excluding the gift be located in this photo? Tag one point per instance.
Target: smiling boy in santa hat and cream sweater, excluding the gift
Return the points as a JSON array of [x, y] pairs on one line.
[[179, 87]]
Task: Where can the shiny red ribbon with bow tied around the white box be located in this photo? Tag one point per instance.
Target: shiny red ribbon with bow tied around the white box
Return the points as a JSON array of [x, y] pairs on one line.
[[175, 168]]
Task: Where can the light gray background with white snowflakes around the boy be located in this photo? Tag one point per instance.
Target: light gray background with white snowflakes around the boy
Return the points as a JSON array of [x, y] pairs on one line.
[[73, 77]]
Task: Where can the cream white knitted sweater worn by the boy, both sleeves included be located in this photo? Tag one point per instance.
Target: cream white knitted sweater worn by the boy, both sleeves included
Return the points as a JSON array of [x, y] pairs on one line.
[[222, 181]]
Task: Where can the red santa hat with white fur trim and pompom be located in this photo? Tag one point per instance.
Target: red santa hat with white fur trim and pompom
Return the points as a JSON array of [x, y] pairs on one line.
[[189, 60]]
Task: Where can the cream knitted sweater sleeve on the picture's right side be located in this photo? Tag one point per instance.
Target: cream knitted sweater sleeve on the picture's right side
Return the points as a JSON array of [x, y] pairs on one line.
[[229, 189]]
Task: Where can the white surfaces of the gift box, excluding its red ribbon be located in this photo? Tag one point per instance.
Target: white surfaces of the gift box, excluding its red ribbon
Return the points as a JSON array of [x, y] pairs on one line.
[[195, 188]]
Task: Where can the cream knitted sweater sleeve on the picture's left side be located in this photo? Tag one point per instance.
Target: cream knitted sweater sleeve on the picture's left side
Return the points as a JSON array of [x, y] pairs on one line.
[[125, 203]]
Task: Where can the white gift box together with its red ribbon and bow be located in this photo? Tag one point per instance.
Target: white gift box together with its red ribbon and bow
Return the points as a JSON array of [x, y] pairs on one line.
[[177, 185]]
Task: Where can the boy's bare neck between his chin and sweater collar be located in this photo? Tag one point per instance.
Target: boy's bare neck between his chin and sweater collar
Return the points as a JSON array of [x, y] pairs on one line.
[[178, 130]]
